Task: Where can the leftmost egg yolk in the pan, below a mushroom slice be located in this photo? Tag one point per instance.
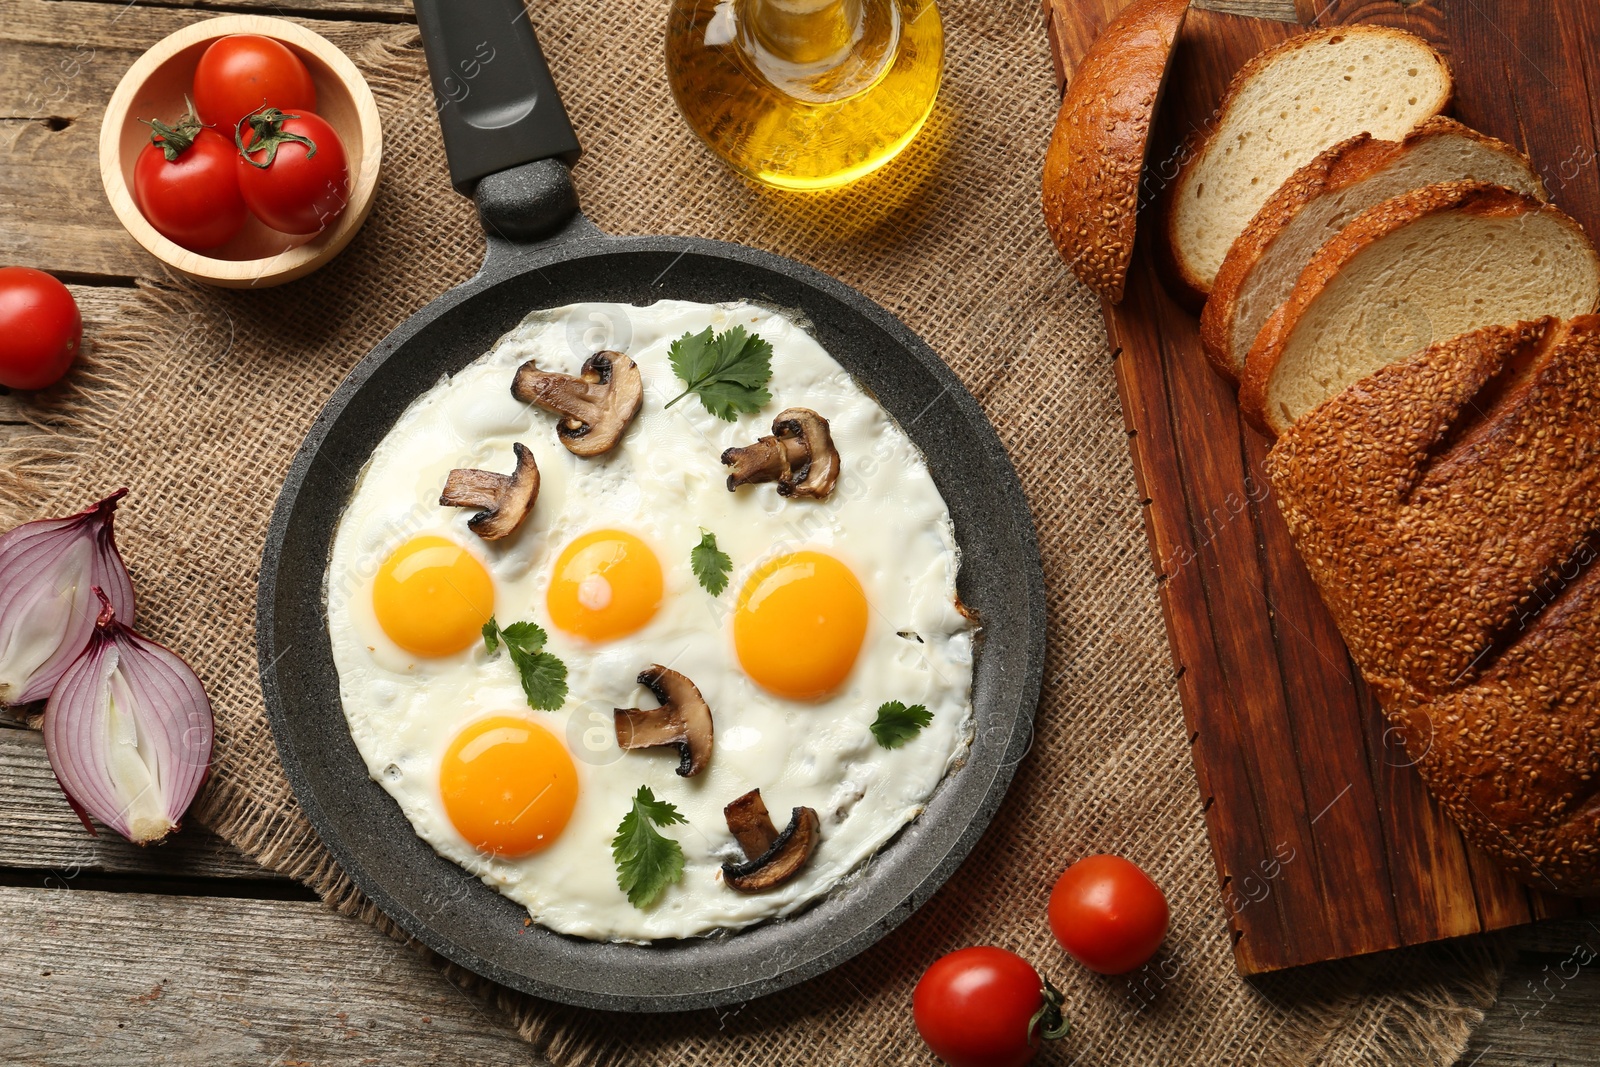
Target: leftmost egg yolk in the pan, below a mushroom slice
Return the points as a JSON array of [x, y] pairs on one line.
[[433, 597]]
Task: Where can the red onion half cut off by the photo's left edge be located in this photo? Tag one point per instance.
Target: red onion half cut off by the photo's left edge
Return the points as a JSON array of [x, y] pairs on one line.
[[47, 609]]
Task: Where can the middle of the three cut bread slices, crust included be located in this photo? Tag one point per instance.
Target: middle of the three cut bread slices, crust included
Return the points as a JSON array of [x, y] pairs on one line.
[[1321, 199]]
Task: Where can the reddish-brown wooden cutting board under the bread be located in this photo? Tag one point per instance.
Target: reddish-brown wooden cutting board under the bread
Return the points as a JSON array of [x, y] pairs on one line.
[[1326, 842]]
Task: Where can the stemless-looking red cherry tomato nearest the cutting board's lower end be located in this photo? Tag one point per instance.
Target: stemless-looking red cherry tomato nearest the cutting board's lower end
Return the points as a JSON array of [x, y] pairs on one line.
[[1108, 914]]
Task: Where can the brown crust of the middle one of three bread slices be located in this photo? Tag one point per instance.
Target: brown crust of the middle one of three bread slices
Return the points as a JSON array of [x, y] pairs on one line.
[[1348, 162]]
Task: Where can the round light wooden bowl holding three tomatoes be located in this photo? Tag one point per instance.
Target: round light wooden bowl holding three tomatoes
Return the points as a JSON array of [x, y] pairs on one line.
[[154, 89]]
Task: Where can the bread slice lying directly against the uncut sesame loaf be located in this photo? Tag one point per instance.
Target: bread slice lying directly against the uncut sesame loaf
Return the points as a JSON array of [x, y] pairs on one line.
[[1422, 268]]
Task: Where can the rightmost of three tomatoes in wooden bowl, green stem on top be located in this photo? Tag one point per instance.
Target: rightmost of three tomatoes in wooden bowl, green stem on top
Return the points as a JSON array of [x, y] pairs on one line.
[[292, 170]]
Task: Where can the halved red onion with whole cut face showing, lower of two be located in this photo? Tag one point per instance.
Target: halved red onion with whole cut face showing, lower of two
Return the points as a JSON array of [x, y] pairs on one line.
[[129, 732]]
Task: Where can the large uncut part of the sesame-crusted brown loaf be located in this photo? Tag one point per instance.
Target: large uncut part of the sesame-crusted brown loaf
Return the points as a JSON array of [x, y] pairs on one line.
[[1449, 510]]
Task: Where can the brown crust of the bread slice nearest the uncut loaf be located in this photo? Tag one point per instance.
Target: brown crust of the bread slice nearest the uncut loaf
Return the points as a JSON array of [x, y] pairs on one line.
[[1370, 226]]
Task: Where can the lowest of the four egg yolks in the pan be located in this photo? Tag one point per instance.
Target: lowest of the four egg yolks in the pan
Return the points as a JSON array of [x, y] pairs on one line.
[[510, 786]]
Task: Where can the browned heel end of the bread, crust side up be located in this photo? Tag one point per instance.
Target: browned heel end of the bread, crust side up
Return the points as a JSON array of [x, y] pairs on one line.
[[1097, 153]]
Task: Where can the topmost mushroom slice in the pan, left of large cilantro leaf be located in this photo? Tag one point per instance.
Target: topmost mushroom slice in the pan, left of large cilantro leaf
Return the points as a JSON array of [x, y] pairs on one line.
[[599, 404]]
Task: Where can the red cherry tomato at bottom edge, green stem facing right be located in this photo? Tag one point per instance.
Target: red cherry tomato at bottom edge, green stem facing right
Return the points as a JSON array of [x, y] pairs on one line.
[[986, 1009]]
